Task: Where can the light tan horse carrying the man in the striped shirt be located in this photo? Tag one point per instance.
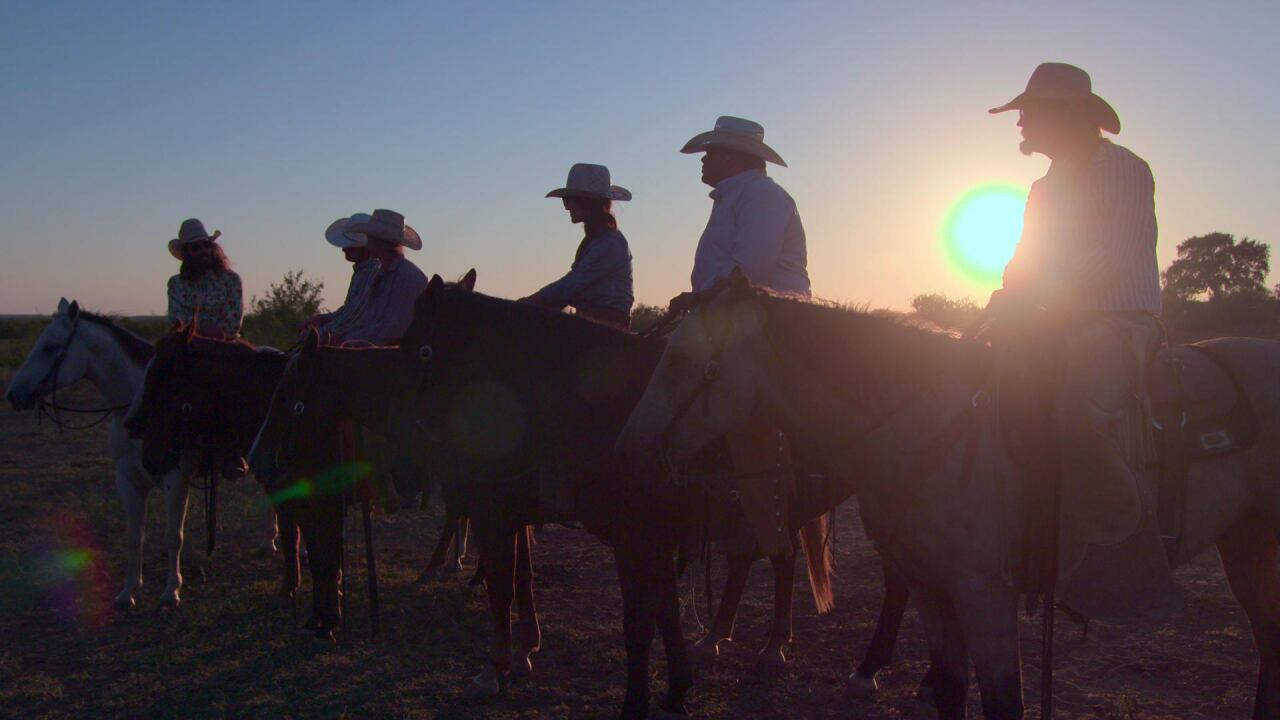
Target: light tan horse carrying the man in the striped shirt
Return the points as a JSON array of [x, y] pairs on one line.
[[883, 402]]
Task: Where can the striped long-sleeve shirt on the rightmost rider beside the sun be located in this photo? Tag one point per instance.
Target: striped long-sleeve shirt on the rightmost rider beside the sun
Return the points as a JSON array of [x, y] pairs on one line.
[[1090, 236]]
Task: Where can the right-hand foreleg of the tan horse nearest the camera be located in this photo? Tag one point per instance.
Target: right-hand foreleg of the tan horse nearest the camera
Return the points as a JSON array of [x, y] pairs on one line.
[[989, 619]]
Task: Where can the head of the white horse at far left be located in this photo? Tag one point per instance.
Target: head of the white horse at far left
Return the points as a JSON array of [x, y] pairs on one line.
[[60, 358]]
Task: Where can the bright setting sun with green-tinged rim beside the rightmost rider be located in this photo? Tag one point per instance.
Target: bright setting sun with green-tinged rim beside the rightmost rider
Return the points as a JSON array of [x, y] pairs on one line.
[[982, 230]]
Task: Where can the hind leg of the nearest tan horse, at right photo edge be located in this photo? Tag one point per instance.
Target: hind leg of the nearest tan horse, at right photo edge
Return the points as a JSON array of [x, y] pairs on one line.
[[1250, 559]]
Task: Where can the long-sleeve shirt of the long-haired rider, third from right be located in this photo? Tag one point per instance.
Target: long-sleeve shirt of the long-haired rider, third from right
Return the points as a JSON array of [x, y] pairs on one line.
[[600, 279]]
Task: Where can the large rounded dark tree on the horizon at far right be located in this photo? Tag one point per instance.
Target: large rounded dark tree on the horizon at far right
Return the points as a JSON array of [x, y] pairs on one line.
[[1220, 267]]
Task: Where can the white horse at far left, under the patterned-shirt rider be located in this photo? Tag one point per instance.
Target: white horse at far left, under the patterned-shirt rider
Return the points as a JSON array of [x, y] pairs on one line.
[[80, 345]]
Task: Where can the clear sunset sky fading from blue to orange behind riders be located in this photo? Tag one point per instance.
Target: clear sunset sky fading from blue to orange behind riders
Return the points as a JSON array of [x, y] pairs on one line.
[[268, 121]]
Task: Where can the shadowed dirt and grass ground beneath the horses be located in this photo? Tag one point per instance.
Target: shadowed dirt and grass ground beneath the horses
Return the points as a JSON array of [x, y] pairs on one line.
[[231, 651]]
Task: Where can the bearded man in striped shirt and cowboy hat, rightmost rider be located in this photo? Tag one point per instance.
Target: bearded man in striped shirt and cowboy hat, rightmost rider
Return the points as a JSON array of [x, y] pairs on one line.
[[1087, 258]]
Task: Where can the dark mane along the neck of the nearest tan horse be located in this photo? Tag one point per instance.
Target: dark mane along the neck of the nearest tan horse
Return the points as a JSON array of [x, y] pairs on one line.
[[868, 356]]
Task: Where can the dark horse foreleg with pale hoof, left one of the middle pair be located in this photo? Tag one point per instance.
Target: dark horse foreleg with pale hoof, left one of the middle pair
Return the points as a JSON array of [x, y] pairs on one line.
[[499, 554]]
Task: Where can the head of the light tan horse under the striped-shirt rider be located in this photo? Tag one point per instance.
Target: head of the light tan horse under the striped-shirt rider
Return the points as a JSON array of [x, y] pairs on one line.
[[705, 384]]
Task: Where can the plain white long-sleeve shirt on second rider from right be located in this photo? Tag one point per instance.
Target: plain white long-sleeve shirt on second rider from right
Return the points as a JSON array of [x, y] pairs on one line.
[[755, 226]]
